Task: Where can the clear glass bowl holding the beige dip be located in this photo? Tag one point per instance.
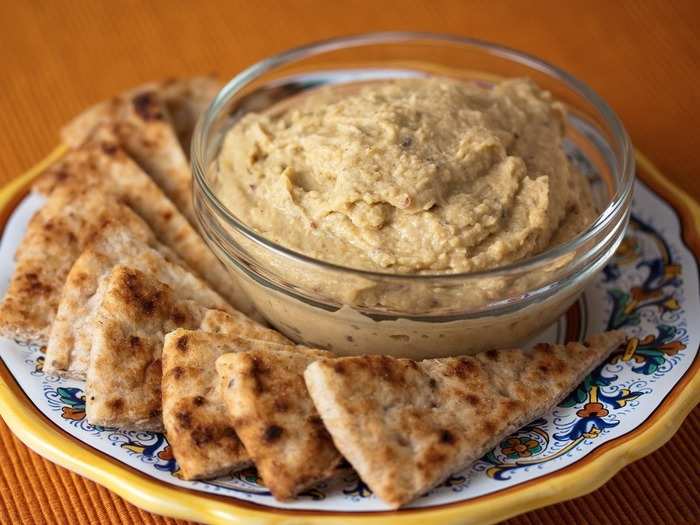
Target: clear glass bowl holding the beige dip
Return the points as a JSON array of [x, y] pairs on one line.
[[352, 311]]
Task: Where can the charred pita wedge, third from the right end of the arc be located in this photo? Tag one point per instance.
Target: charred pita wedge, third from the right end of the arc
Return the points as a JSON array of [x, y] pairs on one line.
[[198, 426]]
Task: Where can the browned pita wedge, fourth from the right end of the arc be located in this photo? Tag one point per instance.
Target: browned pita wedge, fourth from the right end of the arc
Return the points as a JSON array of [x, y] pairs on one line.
[[124, 375]]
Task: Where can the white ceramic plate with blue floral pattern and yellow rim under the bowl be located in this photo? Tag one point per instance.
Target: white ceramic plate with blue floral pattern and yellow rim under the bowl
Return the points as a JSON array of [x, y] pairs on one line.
[[622, 411]]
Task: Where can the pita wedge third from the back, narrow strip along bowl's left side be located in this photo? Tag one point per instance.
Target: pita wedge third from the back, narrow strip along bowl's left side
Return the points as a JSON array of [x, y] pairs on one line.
[[104, 166]]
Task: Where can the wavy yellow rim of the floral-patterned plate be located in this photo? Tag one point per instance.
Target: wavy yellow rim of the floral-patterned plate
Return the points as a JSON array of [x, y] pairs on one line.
[[584, 476]]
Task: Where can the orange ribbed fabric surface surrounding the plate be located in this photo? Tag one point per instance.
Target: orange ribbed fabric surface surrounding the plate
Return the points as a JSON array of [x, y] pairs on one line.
[[57, 57]]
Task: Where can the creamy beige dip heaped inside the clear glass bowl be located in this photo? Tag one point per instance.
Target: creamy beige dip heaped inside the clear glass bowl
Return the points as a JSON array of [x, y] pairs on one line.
[[422, 175]]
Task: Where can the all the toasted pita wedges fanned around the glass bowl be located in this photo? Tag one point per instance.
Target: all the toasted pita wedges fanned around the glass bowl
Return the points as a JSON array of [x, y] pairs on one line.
[[113, 279]]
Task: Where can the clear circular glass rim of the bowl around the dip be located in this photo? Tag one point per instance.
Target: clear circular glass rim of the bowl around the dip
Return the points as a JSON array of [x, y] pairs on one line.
[[625, 162]]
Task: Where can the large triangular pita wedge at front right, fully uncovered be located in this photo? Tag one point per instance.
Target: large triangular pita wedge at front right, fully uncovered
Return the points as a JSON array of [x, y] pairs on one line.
[[405, 426]]
